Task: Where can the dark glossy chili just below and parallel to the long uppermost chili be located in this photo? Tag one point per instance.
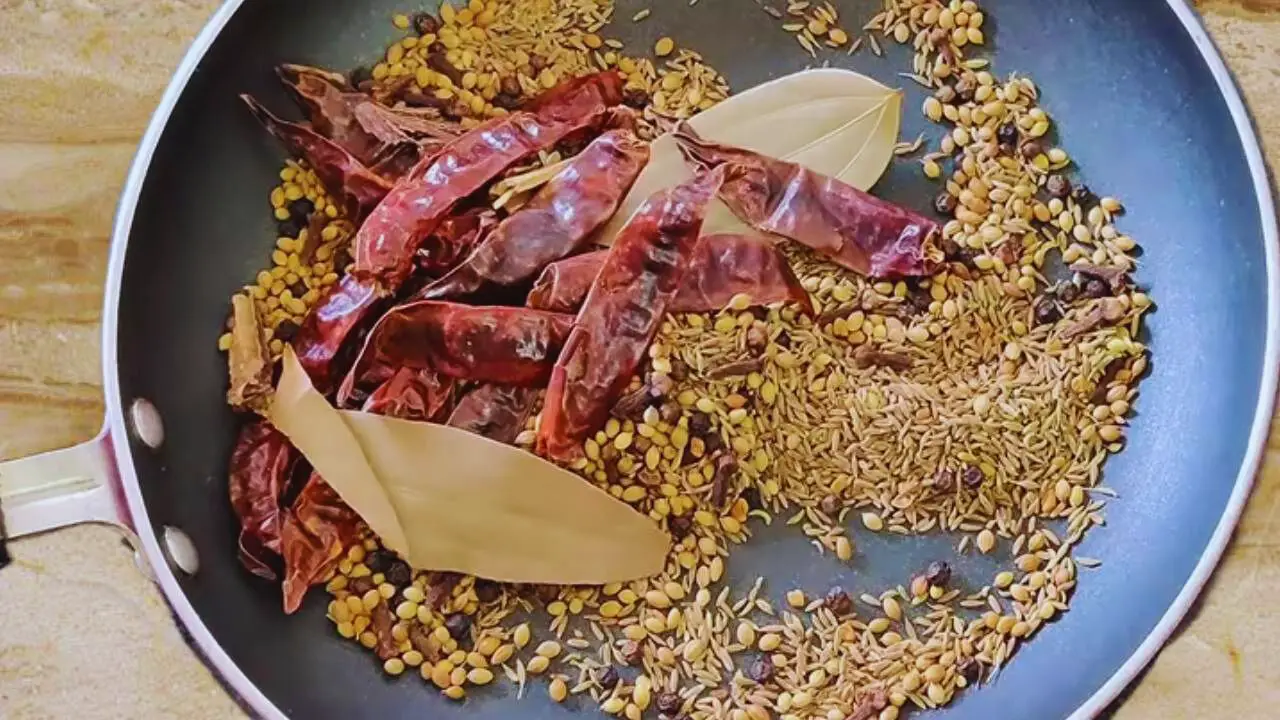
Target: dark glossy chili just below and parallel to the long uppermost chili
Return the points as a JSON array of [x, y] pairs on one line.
[[556, 222]]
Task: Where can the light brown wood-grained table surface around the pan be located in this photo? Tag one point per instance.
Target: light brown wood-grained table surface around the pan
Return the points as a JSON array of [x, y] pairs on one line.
[[85, 636]]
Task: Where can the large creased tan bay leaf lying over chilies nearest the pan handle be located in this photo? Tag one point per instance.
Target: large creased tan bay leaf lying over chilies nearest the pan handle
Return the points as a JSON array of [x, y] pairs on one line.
[[450, 500]]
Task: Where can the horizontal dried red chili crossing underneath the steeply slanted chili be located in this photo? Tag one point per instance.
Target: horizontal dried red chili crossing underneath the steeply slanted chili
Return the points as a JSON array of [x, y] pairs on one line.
[[724, 266]]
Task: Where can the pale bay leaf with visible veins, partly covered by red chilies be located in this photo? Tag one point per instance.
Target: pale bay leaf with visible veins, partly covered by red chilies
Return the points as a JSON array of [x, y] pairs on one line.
[[835, 122]]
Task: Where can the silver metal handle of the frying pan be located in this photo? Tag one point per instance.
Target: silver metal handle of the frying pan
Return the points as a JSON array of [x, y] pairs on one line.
[[63, 487]]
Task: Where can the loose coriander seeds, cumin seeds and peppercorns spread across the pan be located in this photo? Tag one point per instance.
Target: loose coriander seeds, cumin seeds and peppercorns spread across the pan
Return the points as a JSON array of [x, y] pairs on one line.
[[981, 400]]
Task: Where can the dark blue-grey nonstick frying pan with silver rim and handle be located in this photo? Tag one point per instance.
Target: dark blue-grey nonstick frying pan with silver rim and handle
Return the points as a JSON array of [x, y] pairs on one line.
[[1144, 103]]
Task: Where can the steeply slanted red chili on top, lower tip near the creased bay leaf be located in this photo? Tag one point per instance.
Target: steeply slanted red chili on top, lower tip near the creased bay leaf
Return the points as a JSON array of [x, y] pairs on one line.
[[623, 313]]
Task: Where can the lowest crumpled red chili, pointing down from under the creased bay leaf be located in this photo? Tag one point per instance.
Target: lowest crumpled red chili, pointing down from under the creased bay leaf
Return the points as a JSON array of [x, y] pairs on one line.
[[314, 536]]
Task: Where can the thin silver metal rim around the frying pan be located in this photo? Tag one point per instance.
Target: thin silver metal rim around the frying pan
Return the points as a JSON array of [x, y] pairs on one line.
[[249, 694]]
